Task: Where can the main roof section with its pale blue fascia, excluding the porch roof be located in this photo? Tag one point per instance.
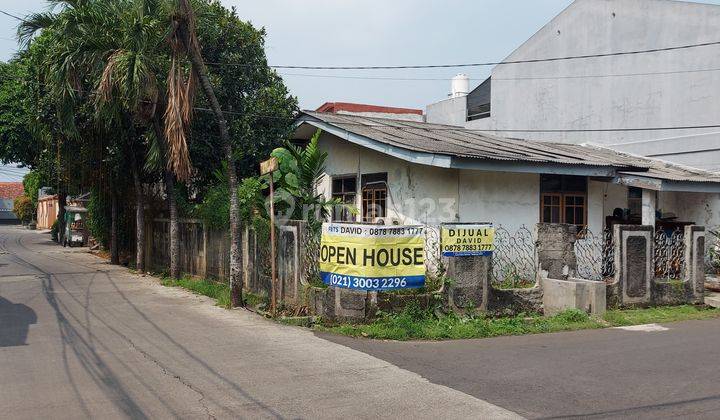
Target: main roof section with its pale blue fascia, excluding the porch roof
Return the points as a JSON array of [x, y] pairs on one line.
[[456, 147]]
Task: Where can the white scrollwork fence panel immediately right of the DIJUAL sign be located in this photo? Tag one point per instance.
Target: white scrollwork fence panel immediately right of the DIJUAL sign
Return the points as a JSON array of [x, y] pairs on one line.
[[514, 262]]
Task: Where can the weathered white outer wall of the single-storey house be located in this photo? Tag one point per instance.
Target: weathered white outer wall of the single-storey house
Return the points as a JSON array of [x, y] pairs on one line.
[[425, 194]]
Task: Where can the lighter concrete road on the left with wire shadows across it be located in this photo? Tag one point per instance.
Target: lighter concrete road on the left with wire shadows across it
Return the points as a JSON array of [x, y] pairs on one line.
[[82, 339]]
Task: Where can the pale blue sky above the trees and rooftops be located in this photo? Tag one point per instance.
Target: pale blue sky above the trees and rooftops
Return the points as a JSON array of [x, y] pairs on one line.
[[372, 32]]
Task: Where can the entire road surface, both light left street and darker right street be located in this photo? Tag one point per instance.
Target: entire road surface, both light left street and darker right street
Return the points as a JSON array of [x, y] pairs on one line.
[[80, 338]]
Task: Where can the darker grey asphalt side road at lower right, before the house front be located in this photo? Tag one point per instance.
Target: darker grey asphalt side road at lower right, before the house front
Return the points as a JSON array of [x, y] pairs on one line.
[[612, 373]]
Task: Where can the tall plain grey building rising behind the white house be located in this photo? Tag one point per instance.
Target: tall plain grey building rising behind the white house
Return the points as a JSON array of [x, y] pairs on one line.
[[676, 88]]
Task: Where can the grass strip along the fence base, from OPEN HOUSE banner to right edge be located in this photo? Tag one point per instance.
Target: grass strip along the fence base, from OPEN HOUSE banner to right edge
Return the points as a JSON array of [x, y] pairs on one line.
[[414, 323]]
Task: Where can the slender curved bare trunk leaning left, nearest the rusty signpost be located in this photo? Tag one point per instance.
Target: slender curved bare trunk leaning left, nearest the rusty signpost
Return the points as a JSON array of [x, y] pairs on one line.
[[198, 66]]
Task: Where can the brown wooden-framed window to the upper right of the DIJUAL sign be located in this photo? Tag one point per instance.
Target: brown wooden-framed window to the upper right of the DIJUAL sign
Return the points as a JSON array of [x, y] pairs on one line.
[[563, 199]]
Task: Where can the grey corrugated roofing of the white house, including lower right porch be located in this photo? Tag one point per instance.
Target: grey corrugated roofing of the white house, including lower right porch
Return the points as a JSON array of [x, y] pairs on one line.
[[457, 141]]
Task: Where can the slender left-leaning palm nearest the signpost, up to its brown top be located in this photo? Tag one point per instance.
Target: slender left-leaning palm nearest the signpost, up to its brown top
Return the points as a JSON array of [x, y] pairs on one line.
[[184, 42]]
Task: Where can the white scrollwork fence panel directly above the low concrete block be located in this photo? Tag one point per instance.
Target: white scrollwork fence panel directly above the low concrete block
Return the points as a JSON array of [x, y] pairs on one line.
[[595, 254]]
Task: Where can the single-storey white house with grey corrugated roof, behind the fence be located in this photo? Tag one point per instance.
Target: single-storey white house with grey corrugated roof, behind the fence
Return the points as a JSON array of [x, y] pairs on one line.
[[404, 172]]
